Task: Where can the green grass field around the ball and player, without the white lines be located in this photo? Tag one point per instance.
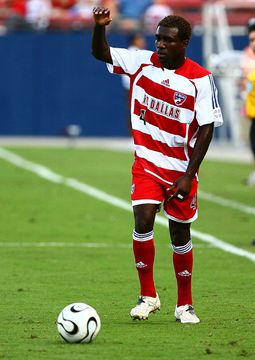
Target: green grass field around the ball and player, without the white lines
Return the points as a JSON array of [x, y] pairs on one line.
[[46, 263]]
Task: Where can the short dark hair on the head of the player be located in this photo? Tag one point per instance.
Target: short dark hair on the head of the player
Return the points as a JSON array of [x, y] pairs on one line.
[[175, 21]]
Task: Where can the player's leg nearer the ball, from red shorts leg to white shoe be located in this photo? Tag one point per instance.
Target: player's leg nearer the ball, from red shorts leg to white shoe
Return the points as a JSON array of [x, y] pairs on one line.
[[146, 194]]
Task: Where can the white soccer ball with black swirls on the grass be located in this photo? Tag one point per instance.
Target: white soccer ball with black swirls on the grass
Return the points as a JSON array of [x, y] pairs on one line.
[[78, 323]]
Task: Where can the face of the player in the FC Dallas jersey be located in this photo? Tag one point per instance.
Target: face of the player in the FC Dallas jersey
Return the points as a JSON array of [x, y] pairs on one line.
[[169, 46]]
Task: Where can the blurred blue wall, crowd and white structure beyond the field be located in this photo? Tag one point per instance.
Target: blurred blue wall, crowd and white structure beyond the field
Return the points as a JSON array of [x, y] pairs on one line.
[[49, 80]]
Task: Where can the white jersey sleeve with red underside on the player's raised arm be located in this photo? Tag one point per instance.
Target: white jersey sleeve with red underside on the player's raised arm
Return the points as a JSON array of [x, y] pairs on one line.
[[128, 61]]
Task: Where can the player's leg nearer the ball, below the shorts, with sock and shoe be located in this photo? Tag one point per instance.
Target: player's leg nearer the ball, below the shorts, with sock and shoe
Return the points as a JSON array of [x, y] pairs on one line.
[[144, 253]]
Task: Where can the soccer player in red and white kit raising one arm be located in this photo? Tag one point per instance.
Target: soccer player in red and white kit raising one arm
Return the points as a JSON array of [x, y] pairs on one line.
[[174, 107]]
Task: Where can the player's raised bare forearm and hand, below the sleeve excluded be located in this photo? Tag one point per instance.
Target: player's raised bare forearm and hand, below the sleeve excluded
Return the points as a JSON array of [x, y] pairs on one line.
[[100, 47]]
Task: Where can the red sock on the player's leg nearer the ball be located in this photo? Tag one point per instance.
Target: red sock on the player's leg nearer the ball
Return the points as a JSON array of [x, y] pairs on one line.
[[144, 252]]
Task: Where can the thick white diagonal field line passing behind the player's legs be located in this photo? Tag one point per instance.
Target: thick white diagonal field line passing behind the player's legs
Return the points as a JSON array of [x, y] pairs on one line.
[[49, 175]]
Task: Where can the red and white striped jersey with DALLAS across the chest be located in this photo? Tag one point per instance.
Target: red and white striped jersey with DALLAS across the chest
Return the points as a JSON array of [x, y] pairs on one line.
[[167, 108]]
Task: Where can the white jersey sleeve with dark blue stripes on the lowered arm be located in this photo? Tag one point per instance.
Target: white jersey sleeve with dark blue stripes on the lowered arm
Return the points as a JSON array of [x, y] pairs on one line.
[[207, 105]]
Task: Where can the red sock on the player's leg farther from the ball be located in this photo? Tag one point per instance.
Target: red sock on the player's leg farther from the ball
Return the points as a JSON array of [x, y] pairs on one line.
[[183, 263]]
